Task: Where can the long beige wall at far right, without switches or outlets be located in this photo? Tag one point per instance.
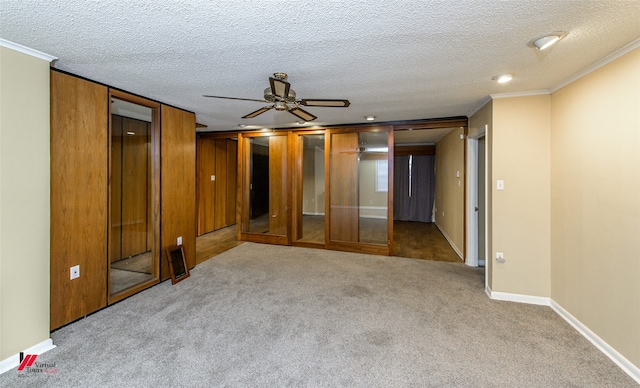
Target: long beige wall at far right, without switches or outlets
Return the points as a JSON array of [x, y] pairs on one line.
[[595, 203]]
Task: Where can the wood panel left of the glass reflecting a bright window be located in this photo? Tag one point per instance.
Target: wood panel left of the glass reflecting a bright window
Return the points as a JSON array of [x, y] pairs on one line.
[[344, 187]]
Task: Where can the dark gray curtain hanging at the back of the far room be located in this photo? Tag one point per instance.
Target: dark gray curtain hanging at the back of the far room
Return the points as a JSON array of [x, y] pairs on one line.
[[418, 206]]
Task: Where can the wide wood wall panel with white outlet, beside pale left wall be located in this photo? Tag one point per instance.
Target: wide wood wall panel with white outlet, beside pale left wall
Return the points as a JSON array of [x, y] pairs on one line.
[[79, 143]]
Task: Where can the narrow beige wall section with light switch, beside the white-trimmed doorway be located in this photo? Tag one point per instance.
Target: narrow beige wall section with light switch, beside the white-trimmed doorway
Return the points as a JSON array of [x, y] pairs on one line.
[[520, 156]]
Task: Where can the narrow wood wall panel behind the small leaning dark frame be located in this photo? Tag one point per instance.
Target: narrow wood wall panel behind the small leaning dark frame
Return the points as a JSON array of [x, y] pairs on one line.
[[178, 183]]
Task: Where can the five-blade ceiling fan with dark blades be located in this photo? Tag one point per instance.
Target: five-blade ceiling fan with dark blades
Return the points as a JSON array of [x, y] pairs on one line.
[[284, 98]]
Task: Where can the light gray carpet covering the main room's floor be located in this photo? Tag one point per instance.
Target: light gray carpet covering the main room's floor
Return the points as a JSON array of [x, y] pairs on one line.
[[269, 316]]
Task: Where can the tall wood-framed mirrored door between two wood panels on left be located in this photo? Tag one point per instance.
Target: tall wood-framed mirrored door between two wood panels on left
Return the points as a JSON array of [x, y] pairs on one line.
[[133, 259]]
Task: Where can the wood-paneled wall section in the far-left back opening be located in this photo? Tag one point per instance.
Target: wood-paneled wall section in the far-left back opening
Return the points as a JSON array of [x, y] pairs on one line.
[[216, 198]]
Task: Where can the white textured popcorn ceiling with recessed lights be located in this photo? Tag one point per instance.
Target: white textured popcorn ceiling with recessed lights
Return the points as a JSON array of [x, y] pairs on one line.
[[396, 60]]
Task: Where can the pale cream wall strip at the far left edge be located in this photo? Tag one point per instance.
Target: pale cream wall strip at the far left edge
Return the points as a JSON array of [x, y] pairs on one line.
[[24, 202]]
